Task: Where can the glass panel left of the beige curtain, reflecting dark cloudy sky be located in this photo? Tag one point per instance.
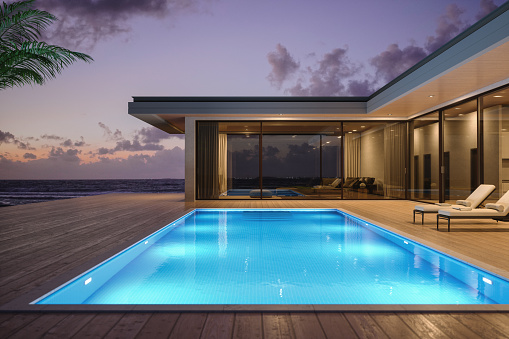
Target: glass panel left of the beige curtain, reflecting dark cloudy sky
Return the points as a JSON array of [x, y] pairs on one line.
[[301, 159]]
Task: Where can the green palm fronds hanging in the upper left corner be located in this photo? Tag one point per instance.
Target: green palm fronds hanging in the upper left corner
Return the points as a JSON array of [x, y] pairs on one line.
[[23, 59]]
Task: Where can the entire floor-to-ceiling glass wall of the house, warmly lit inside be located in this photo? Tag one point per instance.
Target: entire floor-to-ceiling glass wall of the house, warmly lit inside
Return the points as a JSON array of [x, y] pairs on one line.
[[438, 157]]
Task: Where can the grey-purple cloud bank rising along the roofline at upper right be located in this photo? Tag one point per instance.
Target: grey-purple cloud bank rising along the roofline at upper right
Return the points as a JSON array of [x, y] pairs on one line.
[[336, 75]]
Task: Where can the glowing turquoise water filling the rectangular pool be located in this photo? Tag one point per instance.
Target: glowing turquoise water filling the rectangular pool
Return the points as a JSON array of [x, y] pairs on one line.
[[279, 257]]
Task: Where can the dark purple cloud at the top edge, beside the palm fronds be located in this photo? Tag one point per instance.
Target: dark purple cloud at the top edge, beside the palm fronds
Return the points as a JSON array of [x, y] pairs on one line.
[[85, 22]]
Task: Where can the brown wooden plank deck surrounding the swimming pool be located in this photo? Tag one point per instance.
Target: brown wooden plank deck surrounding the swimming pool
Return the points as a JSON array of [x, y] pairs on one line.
[[40, 242]]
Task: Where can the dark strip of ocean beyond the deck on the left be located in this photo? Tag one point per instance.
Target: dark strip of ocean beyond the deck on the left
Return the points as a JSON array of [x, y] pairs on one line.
[[18, 192]]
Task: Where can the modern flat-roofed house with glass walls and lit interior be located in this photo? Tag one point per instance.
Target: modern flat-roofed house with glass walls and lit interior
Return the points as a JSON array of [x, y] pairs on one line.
[[434, 133]]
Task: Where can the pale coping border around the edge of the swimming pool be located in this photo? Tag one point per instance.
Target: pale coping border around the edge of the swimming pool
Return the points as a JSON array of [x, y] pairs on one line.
[[22, 303]]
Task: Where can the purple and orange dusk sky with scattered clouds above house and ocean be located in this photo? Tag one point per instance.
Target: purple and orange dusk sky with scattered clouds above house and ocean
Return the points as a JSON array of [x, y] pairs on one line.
[[76, 126]]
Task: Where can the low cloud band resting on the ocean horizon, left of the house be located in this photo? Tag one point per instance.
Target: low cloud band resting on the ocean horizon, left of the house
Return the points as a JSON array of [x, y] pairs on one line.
[[162, 164]]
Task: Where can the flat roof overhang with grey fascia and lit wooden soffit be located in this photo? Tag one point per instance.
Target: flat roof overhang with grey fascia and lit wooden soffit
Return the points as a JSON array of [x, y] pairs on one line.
[[472, 63]]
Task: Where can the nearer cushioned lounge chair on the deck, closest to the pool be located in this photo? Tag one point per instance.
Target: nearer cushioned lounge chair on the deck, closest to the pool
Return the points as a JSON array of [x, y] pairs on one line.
[[498, 211]]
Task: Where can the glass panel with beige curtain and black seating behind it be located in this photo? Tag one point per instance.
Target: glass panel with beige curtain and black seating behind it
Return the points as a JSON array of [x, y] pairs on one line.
[[374, 160]]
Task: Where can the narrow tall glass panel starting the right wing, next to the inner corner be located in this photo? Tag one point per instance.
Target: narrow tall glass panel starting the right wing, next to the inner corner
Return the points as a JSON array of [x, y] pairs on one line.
[[424, 158]]
